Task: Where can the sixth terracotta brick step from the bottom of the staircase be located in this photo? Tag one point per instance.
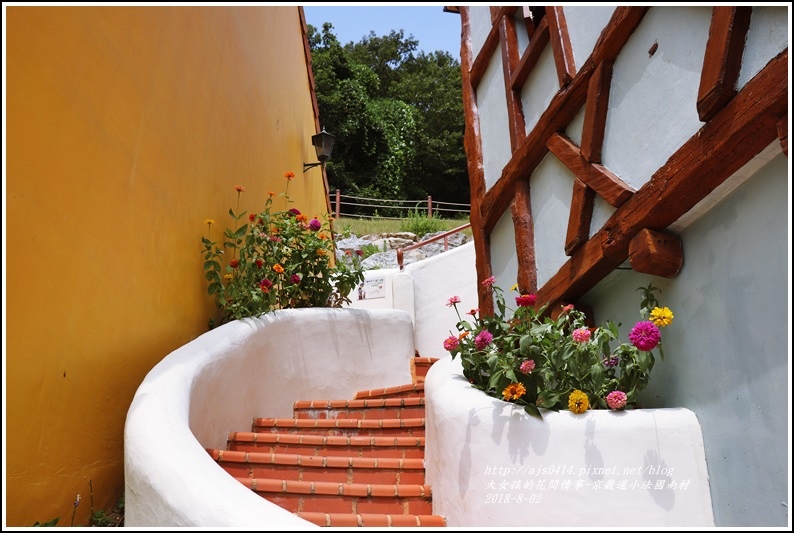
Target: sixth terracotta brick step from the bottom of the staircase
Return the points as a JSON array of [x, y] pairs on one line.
[[366, 409]]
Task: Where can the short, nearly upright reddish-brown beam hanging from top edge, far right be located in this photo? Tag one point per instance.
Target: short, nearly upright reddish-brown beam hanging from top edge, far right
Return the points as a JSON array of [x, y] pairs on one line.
[[723, 58]]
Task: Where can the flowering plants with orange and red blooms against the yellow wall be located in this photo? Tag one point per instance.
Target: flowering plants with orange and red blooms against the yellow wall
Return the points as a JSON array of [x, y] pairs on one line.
[[279, 259]]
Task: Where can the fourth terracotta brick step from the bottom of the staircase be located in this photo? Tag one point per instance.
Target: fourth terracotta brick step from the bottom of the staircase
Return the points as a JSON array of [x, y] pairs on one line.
[[345, 446]]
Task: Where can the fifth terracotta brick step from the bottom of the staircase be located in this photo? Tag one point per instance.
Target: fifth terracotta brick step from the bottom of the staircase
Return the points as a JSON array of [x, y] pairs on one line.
[[413, 427]]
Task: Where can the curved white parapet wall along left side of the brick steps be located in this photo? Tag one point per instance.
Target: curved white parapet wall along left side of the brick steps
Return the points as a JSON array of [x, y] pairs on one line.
[[220, 381]]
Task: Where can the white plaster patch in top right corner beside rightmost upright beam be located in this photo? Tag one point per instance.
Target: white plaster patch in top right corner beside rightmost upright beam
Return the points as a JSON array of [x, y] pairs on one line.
[[769, 34]]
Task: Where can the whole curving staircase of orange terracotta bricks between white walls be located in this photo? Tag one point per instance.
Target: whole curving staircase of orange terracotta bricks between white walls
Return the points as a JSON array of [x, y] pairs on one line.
[[342, 463]]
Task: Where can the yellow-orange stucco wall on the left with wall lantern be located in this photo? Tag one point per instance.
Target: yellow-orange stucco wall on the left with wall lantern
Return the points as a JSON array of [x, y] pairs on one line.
[[127, 127]]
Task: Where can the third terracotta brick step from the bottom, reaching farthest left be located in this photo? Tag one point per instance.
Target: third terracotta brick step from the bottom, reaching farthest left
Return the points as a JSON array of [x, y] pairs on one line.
[[372, 470]]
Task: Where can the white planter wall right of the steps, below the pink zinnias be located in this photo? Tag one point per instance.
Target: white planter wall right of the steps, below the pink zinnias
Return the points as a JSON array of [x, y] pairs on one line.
[[491, 464]]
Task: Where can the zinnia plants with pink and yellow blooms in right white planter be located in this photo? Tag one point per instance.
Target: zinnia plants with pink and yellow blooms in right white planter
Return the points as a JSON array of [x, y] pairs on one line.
[[537, 361]]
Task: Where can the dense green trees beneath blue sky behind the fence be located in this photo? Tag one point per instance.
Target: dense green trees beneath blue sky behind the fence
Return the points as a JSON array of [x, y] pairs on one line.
[[397, 114]]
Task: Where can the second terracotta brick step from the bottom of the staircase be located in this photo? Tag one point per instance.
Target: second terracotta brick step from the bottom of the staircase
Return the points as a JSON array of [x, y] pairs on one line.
[[355, 498]]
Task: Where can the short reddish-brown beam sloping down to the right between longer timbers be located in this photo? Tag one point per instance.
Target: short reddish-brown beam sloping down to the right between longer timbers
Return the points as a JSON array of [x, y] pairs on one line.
[[597, 177]]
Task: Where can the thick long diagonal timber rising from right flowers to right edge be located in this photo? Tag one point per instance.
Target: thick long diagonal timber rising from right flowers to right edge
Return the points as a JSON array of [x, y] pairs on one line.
[[736, 134]]
